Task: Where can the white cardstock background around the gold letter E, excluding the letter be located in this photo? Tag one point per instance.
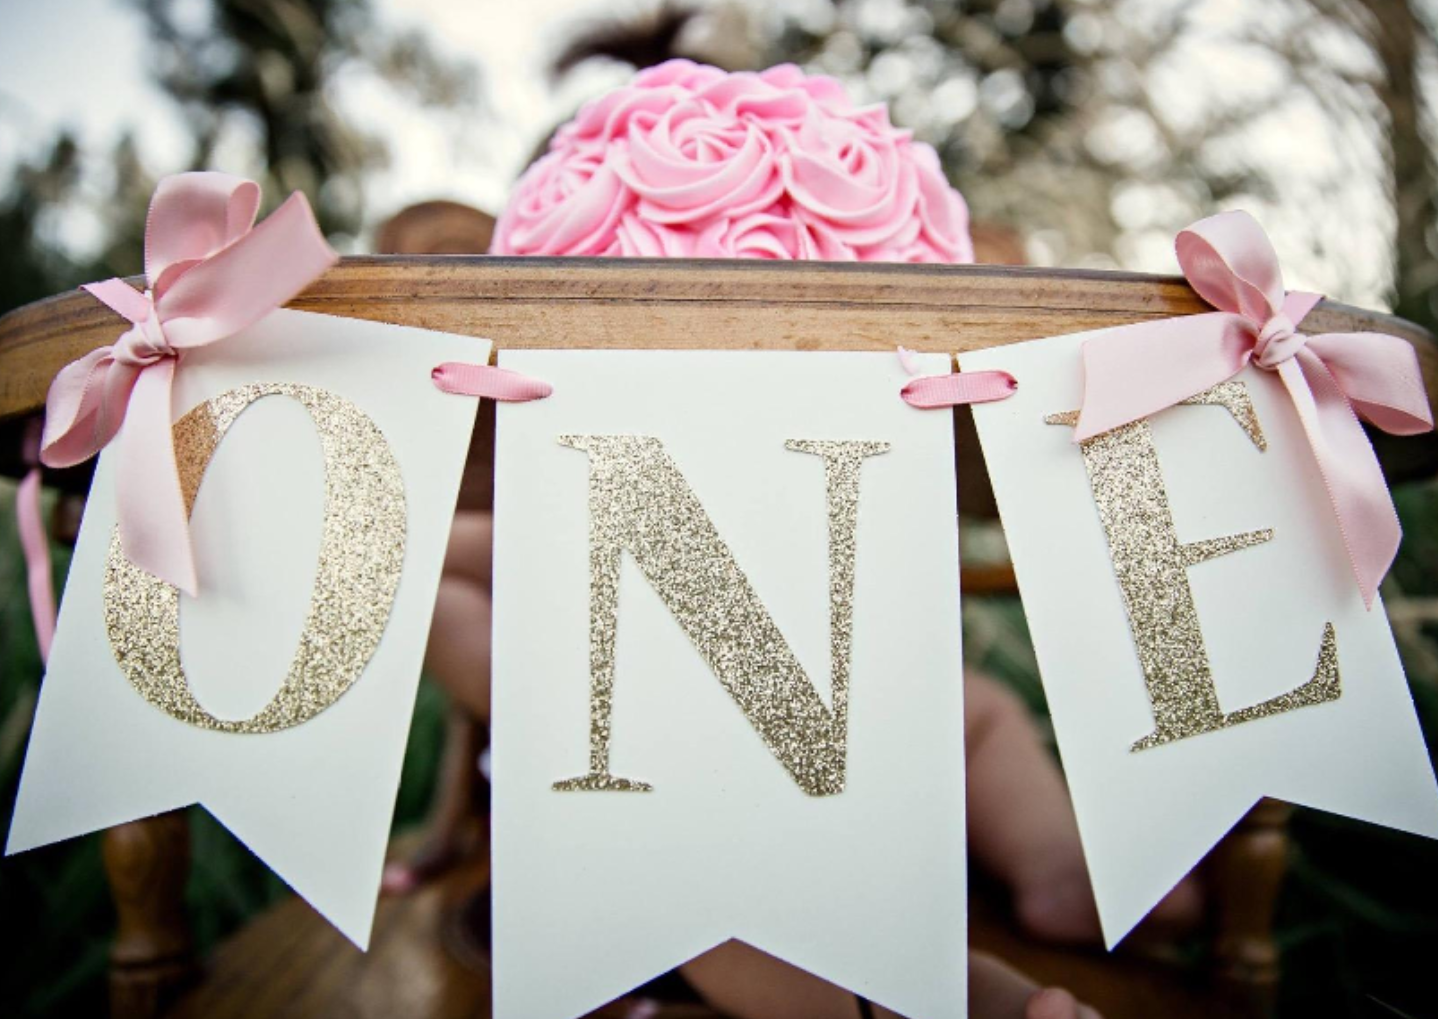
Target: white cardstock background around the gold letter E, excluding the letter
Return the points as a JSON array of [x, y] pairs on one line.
[[1148, 817]]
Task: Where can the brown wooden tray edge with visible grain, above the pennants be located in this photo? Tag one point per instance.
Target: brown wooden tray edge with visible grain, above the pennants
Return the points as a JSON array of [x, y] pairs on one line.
[[665, 304]]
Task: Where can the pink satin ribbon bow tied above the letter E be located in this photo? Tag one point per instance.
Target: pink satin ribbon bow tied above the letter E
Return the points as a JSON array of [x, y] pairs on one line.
[[1332, 379]]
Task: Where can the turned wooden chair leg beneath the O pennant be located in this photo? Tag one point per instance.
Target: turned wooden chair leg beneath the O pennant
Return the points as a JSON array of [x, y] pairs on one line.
[[153, 958]]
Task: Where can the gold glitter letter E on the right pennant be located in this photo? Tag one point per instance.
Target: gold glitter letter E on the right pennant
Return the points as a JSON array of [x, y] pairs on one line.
[[1151, 566]]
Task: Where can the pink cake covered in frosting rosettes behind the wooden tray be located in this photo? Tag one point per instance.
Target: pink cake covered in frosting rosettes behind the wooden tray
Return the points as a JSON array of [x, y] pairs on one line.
[[692, 162]]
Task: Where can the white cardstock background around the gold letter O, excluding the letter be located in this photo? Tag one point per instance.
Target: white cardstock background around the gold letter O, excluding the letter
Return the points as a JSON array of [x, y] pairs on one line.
[[313, 801]]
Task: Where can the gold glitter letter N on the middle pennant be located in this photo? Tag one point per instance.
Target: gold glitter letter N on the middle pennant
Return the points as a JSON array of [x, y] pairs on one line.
[[641, 504]]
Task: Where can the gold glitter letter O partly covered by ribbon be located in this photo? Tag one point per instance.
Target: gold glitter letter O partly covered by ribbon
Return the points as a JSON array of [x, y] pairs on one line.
[[362, 557]]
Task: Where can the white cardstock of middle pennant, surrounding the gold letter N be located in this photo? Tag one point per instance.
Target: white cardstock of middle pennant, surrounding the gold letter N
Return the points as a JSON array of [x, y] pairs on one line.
[[599, 892]]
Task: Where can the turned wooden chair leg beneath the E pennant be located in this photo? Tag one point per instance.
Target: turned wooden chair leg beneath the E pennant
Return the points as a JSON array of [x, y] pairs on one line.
[[1246, 875]]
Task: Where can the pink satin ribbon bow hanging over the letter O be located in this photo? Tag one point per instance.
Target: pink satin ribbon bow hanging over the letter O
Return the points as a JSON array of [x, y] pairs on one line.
[[212, 274]]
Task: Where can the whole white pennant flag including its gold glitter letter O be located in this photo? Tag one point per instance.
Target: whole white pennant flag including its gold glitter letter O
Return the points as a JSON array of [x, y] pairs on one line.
[[281, 698]]
